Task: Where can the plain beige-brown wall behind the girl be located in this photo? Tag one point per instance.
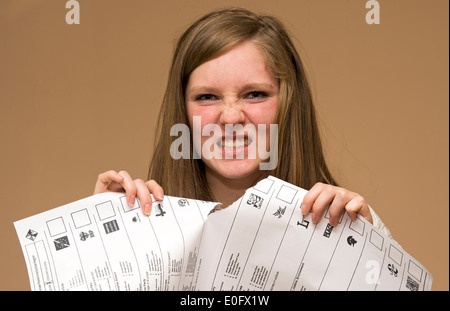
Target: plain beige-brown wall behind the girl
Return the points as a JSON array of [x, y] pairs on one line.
[[77, 100]]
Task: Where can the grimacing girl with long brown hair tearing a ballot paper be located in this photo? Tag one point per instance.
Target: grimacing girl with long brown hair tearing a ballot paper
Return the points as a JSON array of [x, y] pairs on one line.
[[234, 67]]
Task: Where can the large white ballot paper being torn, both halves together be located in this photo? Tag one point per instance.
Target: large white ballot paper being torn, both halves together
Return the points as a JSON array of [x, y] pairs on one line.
[[261, 242]]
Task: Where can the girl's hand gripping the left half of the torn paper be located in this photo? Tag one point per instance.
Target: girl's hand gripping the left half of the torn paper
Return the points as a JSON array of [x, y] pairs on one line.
[[122, 182]]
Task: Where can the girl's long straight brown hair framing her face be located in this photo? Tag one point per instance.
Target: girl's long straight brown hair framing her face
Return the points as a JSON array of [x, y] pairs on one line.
[[300, 155]]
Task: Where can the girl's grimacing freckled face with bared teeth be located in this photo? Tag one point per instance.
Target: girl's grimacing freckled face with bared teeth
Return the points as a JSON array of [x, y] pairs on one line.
[[234, 90]]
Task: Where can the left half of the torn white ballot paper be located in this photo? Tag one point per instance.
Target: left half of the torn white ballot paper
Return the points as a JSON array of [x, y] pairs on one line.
[[101, 243]]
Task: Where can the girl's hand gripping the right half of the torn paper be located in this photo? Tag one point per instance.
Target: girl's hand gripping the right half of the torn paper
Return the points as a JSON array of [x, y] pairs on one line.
[[321, 195]]
